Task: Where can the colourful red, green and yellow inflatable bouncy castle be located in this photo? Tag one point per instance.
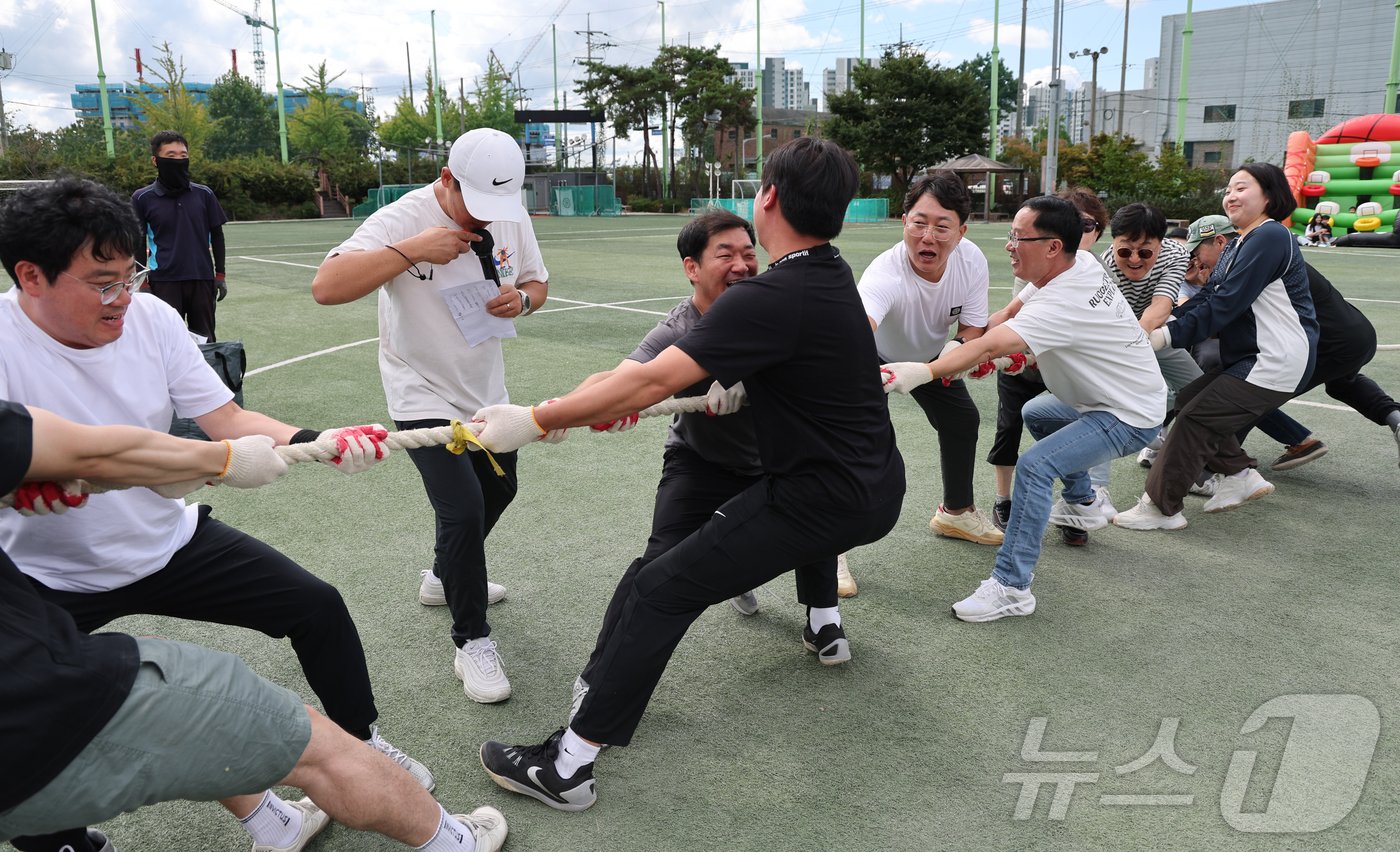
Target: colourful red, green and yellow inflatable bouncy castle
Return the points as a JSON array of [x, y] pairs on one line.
[[1352, 174]]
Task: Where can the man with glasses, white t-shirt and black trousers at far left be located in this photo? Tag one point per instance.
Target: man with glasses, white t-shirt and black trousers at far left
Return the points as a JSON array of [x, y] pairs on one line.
[[76, 339]]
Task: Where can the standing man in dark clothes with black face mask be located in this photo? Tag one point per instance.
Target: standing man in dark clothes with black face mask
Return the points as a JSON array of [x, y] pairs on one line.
[[184, 225]]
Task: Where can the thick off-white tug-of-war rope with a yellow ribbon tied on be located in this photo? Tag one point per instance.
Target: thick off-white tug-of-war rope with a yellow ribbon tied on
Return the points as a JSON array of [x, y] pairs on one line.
[[458, 439]]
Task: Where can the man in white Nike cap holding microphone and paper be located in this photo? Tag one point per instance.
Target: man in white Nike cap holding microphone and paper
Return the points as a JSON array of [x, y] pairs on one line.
[[465, 227]]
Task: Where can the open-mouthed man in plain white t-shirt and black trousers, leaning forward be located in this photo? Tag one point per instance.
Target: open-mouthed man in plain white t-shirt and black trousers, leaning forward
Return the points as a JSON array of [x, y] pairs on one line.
[[915, 294]]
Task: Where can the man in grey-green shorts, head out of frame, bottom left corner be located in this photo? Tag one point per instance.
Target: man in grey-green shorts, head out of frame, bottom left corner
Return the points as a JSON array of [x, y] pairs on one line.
[[97, 725]]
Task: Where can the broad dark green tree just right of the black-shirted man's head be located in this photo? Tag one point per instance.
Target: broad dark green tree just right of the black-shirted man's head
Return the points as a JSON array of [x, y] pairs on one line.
[[906, 115]]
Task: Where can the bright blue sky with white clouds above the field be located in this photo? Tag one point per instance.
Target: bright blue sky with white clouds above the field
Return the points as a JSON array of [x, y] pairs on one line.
[[54, 45]]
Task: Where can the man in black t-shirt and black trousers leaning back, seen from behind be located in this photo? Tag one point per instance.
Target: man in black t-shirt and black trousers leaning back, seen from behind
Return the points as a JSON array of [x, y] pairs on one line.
[[799, 339]]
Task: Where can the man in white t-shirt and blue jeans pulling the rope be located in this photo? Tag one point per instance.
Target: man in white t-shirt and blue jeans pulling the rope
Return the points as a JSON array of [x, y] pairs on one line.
[[1095, 360]]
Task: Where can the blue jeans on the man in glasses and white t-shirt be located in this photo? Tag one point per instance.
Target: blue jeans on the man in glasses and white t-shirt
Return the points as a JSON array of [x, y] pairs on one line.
[[1067, 446]]
